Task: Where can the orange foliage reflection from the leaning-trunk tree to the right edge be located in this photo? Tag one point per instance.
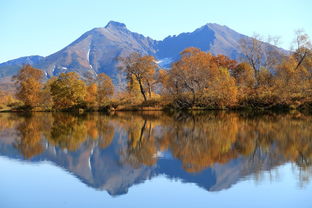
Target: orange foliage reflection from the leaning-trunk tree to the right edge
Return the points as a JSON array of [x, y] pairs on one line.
[[202, 140]]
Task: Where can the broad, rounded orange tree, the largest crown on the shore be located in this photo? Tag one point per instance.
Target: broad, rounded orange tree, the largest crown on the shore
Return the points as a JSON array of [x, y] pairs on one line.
[[200, 78]]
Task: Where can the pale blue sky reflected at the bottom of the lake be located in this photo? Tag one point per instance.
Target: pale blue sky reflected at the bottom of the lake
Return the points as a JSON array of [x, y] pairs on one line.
[[45, 185]]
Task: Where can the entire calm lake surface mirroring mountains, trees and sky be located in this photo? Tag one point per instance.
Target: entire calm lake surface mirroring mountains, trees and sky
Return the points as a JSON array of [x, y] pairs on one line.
[[155, 160]]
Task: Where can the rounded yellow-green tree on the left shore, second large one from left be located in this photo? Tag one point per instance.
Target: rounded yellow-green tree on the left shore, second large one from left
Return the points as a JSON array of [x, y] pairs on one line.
[[68, 91]]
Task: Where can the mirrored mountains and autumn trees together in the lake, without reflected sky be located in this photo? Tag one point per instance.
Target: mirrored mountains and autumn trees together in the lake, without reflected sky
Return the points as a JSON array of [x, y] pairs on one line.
[[114, 153]]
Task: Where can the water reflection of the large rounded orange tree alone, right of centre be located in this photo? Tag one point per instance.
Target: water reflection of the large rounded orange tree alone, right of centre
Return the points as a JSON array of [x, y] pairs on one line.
[[203, 141]]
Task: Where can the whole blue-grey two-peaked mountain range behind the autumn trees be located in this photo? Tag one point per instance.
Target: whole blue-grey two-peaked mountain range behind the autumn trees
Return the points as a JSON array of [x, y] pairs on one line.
[[96, 51]]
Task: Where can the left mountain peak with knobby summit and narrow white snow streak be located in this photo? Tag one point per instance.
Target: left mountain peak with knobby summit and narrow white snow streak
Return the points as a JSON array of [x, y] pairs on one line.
[[97, 51]]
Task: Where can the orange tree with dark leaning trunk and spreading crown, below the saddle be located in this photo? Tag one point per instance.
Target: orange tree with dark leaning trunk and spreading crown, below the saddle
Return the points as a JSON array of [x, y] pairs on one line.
[[142, 68]]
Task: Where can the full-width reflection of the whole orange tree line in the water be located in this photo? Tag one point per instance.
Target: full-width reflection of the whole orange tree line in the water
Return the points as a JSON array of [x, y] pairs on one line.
[[198, 140]]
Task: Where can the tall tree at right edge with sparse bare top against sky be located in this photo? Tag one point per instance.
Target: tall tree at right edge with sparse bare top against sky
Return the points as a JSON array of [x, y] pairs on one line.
[[294, 75]]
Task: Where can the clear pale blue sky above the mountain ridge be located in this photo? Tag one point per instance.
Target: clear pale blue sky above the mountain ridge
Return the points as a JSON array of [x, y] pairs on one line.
[[42, 27]]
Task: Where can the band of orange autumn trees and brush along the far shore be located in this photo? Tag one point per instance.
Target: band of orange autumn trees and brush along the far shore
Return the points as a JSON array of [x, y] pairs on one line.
[[267, 78]]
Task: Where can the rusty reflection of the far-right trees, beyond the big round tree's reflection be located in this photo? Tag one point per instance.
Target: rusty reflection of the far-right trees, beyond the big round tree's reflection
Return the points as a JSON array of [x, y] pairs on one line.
[[280, 138]]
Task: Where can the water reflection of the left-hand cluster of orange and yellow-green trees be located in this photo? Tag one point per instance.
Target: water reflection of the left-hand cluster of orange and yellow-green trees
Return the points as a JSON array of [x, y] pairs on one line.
[[65, 131]]
